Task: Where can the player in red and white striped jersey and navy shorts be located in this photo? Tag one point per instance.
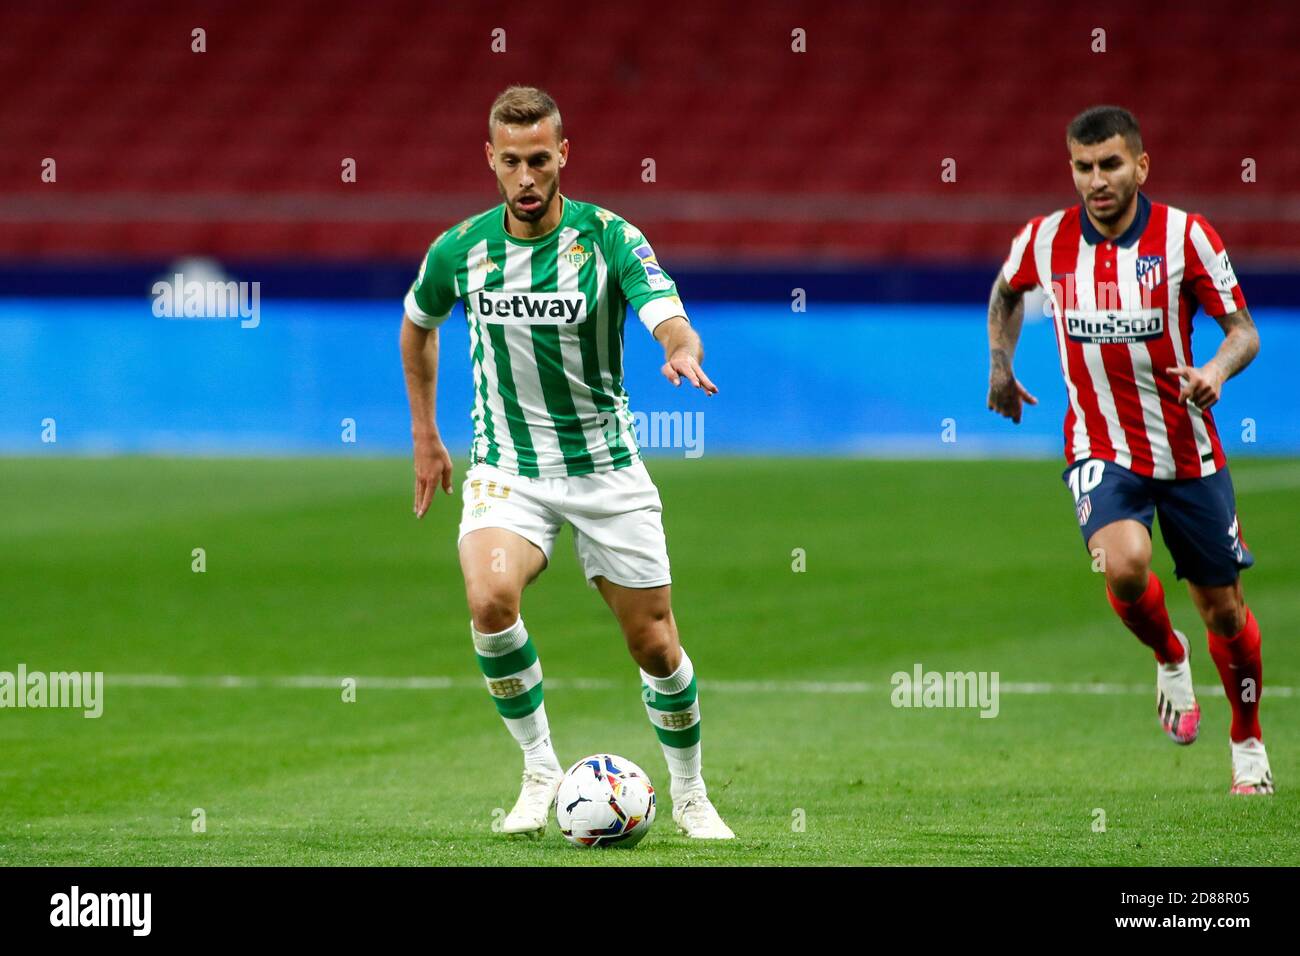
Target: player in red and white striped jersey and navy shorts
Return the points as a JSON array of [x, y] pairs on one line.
[[1125, 276]]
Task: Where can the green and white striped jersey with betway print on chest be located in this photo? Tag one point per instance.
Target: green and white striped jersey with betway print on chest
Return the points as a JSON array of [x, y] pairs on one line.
[[547, 334]]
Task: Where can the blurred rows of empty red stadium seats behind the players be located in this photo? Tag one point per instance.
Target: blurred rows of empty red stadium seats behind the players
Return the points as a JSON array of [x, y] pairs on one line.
[[723, 105]]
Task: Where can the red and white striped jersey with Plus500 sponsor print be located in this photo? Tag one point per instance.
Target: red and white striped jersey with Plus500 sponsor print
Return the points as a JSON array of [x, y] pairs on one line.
[[1124, 314]]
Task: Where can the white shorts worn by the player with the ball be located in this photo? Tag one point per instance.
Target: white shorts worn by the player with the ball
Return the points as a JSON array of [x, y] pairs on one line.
[[617, 518]]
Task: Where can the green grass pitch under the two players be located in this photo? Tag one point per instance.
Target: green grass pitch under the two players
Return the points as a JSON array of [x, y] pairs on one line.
[[317, 568]]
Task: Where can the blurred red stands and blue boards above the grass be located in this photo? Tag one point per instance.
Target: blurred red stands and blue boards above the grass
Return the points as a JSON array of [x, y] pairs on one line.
[[774, 171]]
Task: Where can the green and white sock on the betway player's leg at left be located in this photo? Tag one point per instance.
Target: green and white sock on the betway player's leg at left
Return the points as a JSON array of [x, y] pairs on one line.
[[514, 676]]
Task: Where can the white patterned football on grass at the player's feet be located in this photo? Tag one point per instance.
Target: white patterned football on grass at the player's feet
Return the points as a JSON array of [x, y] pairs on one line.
[[605, 802]]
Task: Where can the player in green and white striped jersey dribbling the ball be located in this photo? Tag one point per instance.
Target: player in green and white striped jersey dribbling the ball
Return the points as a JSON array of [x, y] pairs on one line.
[[547, 283]]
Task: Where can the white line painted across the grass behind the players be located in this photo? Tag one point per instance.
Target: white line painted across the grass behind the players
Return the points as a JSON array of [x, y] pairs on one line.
[[814, 687]]
